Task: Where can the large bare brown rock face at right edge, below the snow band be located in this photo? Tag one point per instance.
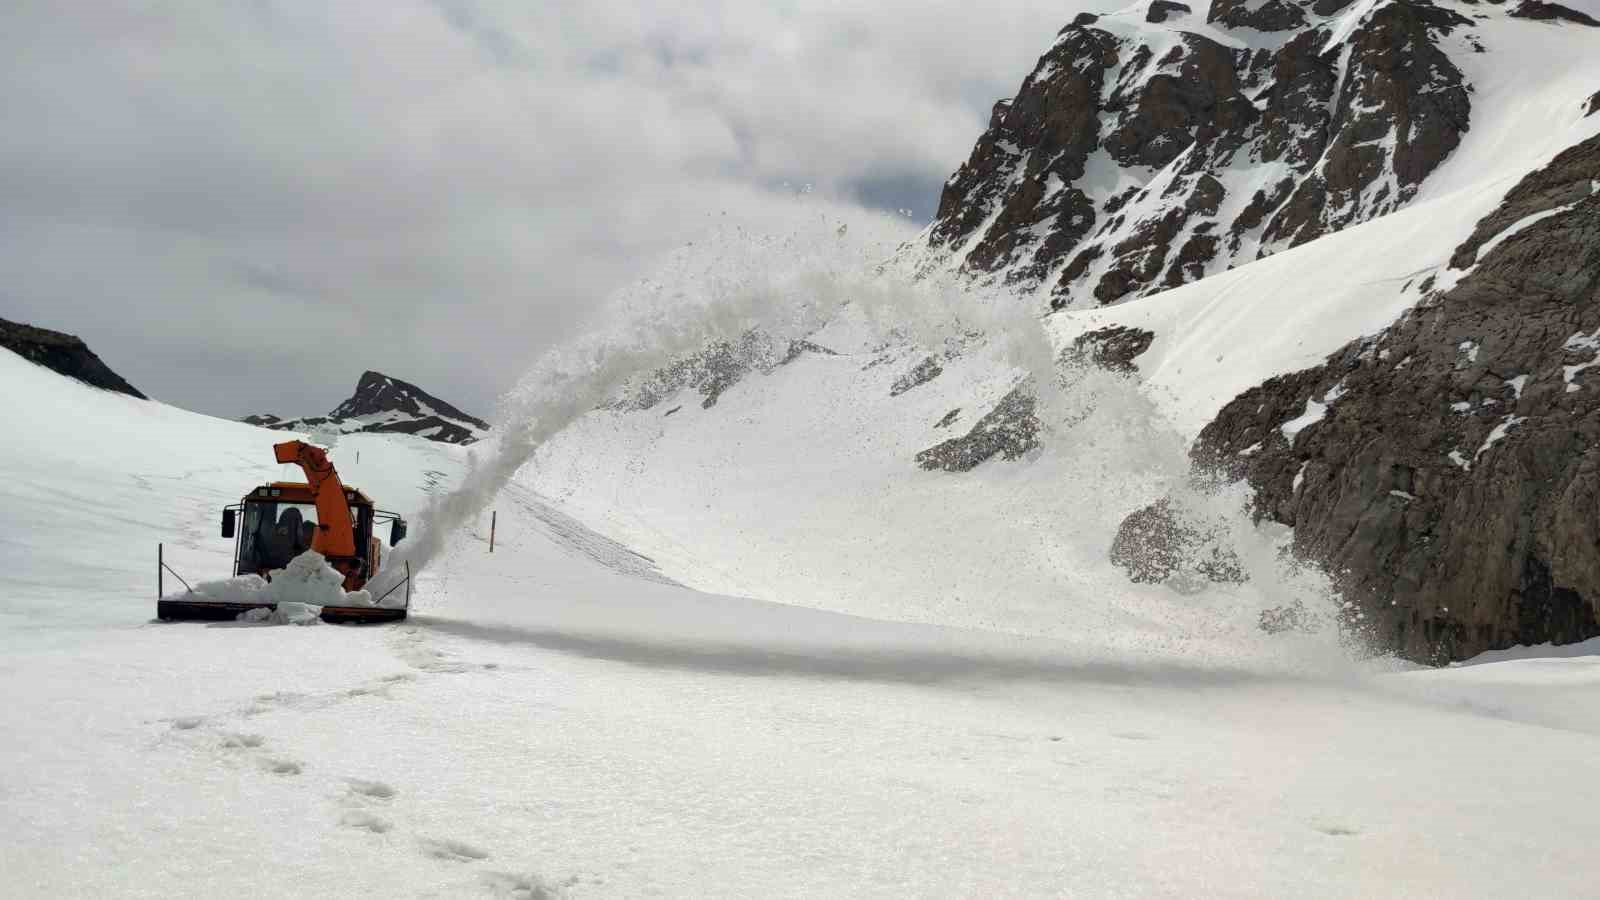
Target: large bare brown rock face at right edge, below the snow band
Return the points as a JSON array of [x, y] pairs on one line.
[[1450, 467]]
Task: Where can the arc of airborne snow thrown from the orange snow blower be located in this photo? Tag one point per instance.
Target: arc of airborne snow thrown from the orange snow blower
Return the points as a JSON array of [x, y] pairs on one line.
[[1106, 448]]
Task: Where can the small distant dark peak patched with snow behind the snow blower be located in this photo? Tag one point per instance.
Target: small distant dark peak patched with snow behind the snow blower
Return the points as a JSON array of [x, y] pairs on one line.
[[383, 404]]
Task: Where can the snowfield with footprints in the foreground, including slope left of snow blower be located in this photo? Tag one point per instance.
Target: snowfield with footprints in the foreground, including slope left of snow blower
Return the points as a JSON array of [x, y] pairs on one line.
[[561, 718]]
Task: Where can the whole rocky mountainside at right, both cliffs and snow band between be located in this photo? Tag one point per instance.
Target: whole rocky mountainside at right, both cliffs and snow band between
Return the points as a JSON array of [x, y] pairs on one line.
[[1398, 155]]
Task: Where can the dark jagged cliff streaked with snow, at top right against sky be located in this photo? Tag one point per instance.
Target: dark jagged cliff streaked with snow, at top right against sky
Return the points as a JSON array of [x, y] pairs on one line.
[[1151, 151]]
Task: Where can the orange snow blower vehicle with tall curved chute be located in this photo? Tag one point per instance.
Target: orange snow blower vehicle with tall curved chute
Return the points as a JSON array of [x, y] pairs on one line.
[[279, 521]]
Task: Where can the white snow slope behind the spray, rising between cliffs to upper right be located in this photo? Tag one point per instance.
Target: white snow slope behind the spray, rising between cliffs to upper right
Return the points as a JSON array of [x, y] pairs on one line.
[[801, 483]]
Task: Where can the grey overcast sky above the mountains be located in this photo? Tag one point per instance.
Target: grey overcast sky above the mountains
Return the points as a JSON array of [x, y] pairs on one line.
[[246, 204]]
